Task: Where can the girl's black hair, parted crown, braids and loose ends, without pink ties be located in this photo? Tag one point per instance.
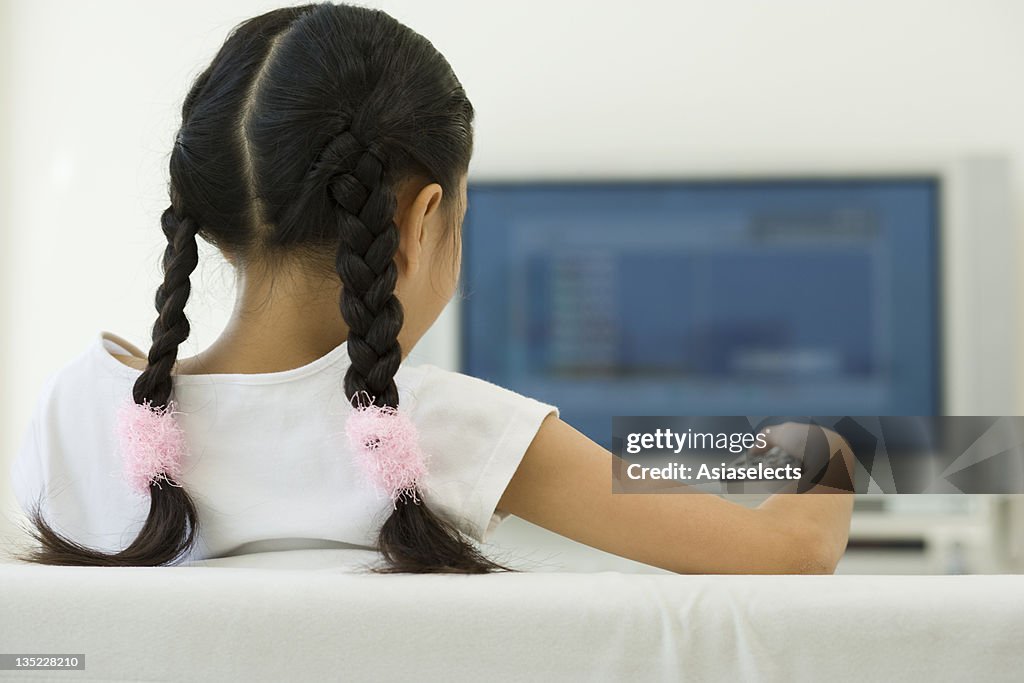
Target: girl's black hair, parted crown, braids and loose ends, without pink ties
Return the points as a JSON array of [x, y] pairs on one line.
[[293, 143]]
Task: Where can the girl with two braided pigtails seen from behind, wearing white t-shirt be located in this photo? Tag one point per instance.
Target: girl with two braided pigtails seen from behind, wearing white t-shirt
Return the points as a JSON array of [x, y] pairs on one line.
[[325, 153]]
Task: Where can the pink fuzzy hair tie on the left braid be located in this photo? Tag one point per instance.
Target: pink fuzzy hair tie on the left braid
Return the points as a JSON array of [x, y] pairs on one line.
[[153, 444]]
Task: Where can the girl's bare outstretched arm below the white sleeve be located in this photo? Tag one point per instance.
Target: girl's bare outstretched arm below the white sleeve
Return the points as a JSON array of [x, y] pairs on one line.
[[564, 485]]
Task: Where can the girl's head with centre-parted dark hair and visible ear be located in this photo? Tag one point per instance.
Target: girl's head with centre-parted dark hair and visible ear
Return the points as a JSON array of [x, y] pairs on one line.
[[315, 134]]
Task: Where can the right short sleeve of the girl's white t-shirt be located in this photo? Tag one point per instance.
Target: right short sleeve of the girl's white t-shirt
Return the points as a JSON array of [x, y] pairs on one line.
[[476, 435]]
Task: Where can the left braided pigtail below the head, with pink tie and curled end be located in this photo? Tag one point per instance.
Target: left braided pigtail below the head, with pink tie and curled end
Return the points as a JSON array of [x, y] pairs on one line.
[[151, 442]]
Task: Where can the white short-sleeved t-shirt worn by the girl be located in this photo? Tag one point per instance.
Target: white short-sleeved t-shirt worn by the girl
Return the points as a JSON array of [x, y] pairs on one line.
[[269, 461]]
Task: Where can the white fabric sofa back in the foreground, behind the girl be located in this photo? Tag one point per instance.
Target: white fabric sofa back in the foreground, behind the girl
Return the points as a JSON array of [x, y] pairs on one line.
[[308, 616]]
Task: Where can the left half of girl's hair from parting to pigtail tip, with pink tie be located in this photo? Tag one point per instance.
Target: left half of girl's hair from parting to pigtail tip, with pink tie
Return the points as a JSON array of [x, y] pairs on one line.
[[207, 191]]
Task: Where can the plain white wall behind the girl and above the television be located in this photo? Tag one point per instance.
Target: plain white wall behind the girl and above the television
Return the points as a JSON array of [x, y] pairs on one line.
[[94, 92]]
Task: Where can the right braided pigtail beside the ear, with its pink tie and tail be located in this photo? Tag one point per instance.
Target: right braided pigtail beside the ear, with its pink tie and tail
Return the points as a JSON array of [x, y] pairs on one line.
[[413, 539]]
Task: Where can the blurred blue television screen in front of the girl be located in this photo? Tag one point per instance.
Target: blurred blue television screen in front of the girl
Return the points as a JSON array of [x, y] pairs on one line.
[[752, 297]]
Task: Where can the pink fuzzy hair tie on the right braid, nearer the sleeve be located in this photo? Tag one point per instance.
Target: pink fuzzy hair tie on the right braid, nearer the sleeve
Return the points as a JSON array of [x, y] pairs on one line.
[[387, 447]]
